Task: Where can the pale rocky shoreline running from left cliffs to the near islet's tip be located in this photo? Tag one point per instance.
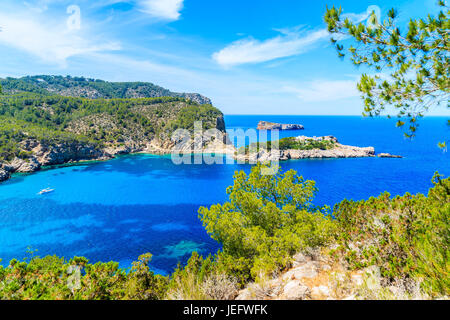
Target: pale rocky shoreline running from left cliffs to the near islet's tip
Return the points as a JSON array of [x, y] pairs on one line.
[[78, 152]]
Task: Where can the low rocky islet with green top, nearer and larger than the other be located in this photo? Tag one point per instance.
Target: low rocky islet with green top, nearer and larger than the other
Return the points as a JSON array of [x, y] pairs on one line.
[[303, 147]]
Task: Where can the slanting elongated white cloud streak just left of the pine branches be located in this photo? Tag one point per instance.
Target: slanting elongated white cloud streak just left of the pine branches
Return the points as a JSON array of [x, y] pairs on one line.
[[251, 50]]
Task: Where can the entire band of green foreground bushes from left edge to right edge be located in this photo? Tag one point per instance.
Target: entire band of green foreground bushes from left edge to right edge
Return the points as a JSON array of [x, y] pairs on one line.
[[265, 221]]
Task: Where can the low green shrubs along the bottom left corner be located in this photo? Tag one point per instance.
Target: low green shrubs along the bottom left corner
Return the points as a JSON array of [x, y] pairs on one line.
[[52, 277]]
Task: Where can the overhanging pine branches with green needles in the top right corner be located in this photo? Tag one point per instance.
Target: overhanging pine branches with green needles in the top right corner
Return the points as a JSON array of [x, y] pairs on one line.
[[411, 67]]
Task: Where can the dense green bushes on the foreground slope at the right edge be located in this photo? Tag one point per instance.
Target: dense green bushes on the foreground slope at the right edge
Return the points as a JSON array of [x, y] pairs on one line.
[[407, 236]]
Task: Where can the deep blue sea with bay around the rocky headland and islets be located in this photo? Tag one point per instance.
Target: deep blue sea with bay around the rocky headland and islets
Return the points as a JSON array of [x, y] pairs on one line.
[[120, 209]]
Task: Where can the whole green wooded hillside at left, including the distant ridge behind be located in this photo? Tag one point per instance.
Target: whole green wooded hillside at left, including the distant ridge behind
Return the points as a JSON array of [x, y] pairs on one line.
[[32, 111]]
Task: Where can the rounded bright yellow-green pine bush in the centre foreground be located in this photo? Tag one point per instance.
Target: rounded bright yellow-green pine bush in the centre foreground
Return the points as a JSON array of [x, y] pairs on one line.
[[267, 219]]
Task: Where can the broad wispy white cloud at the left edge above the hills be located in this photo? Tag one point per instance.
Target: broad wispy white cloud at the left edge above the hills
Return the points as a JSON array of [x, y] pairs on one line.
[[51, 42]]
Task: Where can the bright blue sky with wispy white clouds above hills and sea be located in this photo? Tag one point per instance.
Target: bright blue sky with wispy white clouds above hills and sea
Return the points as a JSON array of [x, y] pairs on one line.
[[249, 57]]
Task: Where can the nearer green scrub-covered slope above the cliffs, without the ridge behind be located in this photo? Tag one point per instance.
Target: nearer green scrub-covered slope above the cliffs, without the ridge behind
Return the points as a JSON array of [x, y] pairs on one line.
[[55, 119]]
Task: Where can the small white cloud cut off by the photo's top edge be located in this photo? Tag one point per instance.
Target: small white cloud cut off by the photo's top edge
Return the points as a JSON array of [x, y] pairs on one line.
[[162, 9]]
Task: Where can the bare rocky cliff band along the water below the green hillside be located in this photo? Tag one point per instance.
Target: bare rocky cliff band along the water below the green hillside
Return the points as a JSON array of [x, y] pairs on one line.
[[43, 153]]
